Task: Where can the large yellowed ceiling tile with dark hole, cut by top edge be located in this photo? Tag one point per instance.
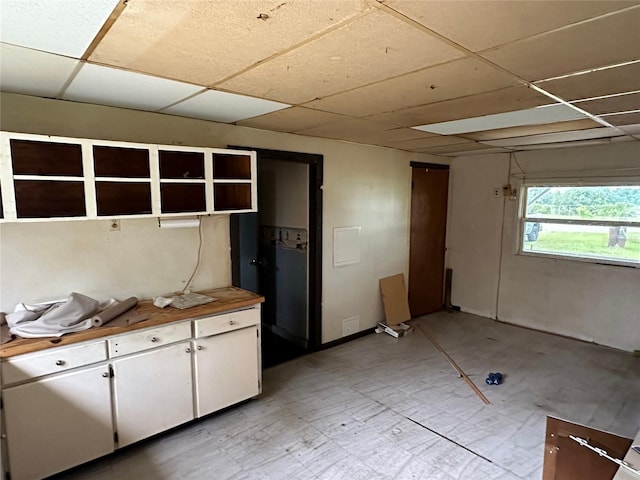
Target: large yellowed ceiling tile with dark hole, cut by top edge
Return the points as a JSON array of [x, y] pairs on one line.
[[205, 42]]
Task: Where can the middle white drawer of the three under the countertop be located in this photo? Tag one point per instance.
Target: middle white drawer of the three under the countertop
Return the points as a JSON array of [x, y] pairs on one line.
[[148, 338]]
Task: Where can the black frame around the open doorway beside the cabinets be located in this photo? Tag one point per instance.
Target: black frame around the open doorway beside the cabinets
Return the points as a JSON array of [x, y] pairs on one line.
[[314, 293]]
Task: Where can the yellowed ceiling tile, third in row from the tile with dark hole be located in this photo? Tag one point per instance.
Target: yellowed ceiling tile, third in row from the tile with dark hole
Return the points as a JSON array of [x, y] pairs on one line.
[[452, 80]]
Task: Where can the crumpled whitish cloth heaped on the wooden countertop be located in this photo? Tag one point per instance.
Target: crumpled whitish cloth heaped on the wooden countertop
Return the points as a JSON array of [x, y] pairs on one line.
[[53, 319]]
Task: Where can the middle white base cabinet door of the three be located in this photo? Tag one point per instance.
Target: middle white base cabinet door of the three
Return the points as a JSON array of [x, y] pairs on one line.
[[152, 392]]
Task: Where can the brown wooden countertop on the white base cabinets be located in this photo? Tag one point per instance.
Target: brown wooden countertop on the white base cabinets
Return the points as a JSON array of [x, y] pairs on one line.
[[229, 298]]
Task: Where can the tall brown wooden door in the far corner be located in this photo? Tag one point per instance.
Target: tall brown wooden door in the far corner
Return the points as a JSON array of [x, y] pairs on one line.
[[429, 193]]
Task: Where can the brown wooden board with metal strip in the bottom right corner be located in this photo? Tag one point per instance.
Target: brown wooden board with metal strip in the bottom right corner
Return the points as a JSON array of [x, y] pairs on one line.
[[565, 459]]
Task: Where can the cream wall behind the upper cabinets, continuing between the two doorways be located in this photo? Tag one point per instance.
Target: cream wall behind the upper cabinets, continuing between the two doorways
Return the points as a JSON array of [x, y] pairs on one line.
[[367, 186]]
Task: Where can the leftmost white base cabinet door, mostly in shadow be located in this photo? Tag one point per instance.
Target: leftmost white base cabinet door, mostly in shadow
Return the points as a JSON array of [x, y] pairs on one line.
[[58, 422]]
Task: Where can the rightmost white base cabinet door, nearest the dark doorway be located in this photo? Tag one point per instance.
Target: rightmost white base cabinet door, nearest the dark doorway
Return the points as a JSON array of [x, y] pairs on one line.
[[227, 369]]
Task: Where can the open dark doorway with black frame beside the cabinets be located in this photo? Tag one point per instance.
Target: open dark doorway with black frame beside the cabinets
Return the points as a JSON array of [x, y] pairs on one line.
[[277, 252]]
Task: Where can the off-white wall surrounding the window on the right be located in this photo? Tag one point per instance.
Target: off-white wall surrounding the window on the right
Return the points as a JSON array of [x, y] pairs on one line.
[[591, 302]]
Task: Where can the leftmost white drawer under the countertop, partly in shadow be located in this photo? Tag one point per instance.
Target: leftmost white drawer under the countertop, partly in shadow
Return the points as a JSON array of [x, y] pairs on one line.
[[31, 365]]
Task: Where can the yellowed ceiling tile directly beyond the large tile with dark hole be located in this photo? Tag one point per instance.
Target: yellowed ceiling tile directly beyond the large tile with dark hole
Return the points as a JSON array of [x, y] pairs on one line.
[[372, 48]]
